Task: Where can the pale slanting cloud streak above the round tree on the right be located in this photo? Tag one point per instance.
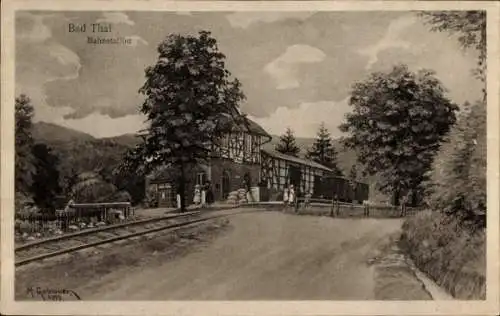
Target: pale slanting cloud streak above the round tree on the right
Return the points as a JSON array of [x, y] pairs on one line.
[[391, 39]]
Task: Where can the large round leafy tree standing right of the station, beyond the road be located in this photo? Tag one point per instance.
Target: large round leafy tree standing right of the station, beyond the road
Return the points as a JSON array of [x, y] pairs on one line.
[[398, 120]]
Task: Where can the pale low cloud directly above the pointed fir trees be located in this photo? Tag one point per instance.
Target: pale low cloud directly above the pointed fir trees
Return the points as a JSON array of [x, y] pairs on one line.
[[306, 118]]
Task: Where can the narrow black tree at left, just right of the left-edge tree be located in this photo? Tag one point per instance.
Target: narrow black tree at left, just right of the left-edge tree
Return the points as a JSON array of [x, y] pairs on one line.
[[45, 187]]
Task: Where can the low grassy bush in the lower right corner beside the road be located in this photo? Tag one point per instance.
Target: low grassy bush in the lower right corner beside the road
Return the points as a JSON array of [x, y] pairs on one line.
[[452, 255]]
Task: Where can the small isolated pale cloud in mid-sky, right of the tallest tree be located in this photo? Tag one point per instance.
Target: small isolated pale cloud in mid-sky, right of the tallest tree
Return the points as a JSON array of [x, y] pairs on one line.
[[284, 68]]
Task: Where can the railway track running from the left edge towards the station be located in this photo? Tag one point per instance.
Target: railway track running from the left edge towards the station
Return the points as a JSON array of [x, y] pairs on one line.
[[53, 247]]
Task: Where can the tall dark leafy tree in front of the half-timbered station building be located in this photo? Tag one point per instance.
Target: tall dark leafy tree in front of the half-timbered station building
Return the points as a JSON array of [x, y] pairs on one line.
[[191, 100]]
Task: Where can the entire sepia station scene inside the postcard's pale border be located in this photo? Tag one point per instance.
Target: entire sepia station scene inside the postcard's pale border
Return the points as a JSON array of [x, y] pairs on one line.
[[250, 156]]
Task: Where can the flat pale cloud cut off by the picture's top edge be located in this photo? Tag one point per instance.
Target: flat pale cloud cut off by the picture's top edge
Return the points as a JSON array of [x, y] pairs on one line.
[[246, 19]]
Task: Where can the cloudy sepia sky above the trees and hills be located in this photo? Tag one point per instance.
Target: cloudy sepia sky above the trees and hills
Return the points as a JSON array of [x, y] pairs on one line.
[[296, 68]]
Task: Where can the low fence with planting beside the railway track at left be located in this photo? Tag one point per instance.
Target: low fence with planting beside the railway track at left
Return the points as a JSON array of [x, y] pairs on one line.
[[78, 216]]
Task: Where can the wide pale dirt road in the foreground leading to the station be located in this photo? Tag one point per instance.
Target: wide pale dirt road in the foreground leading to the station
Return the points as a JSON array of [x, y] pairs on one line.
[[265, 256]]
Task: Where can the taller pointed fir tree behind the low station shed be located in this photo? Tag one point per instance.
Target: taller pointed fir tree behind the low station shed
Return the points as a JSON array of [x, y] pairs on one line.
[[323, 152]]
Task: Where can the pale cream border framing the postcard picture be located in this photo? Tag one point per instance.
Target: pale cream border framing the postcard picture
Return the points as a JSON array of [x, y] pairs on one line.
[[10, 307]]
